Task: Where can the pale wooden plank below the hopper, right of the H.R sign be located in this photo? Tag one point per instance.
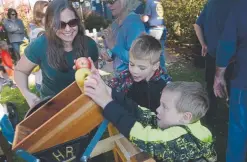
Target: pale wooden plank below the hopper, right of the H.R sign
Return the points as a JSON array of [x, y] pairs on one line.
[[105, 145]]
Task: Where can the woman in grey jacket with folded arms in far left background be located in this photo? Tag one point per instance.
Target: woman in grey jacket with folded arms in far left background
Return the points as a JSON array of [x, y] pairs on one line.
[[15, 30]]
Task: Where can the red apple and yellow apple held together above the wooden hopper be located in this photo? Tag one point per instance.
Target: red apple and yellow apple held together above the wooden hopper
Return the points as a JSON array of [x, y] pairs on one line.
[[83, 69]]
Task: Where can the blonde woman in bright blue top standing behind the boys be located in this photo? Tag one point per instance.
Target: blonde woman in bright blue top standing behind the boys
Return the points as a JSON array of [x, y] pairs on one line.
[[123, 31]]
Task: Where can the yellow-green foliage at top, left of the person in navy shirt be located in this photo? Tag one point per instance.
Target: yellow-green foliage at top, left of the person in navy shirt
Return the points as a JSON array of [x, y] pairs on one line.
[[180, 15]]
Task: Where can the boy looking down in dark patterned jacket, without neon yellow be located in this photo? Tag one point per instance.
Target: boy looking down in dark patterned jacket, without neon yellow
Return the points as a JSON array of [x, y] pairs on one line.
[[144, 80]]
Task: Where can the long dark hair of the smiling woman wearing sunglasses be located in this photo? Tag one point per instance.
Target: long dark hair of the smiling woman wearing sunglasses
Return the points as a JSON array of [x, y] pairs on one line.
[[55, 50]]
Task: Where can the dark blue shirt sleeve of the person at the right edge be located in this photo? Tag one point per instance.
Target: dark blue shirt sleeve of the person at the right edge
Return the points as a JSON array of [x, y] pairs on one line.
[[228, 43]]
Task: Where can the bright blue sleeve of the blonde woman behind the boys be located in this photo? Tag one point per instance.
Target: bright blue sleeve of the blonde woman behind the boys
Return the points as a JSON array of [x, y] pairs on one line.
[[133, 30]]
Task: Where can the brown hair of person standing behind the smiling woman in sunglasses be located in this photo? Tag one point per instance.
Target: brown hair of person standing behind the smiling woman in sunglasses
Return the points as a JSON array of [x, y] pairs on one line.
[[38, 14]]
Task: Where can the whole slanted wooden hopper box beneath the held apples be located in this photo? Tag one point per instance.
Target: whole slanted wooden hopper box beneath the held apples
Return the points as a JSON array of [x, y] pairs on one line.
[[67, 116]]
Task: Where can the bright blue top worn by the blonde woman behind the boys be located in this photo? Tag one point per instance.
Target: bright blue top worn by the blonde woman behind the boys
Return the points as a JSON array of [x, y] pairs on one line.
[[131, 28]]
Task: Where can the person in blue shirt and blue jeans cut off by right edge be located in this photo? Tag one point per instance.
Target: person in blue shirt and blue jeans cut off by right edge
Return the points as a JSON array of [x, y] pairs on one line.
[[233, 43]]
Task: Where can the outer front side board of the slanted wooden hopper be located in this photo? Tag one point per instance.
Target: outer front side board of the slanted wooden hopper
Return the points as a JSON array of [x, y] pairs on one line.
[[66, 125]]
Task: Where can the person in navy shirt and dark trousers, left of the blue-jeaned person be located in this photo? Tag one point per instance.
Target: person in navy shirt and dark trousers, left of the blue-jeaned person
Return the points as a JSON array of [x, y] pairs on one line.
[[208, 28]]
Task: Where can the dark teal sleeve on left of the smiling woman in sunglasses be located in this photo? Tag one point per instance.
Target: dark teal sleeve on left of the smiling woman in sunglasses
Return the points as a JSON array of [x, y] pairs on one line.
[[35, 49]]
